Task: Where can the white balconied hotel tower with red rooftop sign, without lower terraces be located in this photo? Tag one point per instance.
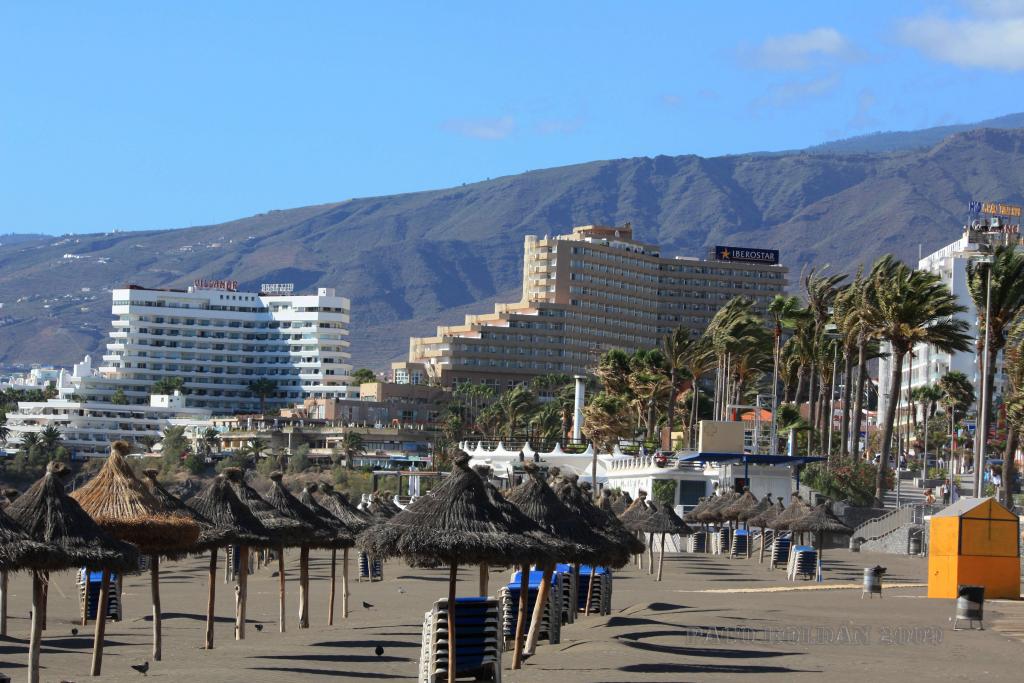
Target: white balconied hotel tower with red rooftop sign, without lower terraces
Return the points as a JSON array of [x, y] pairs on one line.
[[219, 341]]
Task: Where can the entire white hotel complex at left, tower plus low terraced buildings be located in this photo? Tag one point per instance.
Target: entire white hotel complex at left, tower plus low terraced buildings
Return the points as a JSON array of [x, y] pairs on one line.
[[218, 340]]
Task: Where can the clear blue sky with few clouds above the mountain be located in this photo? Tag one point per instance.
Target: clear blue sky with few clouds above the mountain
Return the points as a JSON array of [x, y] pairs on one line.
[[164, 115]]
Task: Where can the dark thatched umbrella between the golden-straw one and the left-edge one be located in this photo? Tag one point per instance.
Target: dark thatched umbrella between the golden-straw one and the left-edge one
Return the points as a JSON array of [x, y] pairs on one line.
[[53, 518]]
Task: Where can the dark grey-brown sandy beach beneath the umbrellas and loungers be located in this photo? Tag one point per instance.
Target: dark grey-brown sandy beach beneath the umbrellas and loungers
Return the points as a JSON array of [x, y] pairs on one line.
[[711, 619]]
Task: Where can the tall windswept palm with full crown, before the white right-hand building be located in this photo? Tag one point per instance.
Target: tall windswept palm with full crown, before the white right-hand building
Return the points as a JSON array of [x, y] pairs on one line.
[[909, 308]]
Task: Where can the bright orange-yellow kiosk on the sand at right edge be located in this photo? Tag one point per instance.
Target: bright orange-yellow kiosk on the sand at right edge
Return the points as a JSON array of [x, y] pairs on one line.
[[974, 542]]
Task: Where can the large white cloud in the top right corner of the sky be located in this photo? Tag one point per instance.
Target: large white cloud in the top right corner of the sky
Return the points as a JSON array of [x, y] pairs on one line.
[[994, 38]]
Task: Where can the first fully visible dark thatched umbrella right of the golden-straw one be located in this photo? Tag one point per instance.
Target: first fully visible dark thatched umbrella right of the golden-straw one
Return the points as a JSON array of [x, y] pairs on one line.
[[225, 521]]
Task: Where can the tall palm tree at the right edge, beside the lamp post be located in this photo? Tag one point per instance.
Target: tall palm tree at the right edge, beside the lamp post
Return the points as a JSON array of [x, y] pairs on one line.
[[1001, 285]]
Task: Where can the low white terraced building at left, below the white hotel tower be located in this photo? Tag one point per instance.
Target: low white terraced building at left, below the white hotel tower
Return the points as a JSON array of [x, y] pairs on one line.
[[89, 428]]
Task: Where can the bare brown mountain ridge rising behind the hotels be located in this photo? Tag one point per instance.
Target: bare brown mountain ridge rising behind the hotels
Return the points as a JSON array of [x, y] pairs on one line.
[[415, 261]]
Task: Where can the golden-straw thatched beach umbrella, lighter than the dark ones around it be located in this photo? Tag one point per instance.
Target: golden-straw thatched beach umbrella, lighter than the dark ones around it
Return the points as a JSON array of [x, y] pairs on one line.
[[123, 506]]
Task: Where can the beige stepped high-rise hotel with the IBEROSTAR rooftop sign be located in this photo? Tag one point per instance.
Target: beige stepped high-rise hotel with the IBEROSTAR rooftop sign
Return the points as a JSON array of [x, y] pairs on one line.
[[585, 293]]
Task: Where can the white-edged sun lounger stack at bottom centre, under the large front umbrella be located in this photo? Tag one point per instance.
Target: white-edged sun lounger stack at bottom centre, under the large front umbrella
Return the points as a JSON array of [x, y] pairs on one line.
[[479, 649]]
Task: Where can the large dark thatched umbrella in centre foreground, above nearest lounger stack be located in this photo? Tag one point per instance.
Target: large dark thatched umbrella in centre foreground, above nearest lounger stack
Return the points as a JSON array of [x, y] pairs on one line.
[[454, 525]]
